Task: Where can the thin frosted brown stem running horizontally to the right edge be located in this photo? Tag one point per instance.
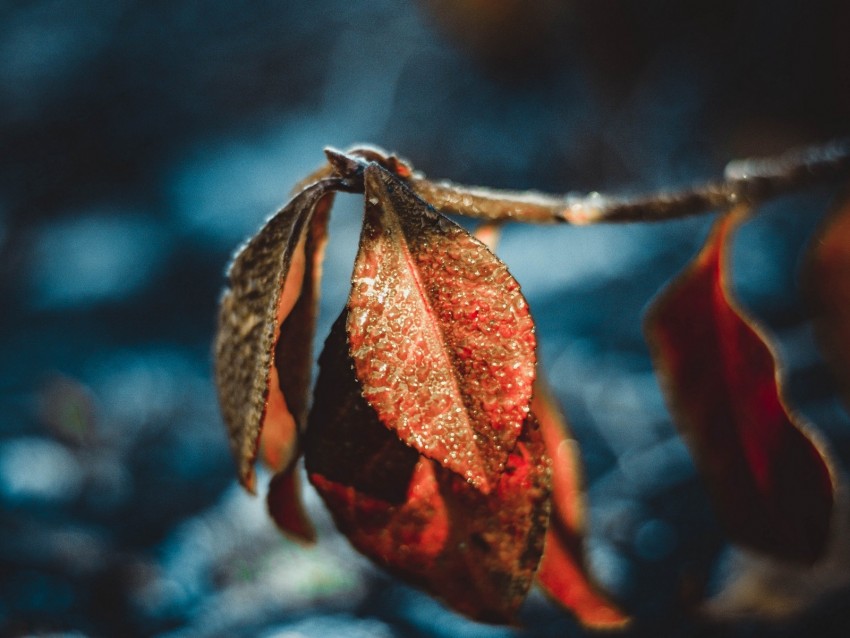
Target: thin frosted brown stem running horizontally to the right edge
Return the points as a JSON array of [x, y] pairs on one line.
[[749, 182]]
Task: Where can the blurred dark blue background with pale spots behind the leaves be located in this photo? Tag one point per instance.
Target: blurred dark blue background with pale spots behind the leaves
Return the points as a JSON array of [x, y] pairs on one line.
[[142, 142]]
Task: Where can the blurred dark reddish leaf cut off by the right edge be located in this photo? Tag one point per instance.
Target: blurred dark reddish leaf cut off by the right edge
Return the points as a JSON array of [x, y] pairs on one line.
[[828, 283]]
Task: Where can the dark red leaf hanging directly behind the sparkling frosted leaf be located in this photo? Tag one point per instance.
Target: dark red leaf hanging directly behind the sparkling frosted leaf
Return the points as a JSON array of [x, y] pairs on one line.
[[476, 551]]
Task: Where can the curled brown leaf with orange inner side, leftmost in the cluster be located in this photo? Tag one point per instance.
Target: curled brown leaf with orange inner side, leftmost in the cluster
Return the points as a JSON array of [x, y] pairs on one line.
[[267, 289]]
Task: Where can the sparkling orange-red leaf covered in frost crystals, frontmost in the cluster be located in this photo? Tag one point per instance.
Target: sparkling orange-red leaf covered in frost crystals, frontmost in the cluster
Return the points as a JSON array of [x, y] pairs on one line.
[[440, 334]]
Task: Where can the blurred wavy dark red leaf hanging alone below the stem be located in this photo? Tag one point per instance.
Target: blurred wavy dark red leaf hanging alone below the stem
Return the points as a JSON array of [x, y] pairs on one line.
[[768, 476]]
